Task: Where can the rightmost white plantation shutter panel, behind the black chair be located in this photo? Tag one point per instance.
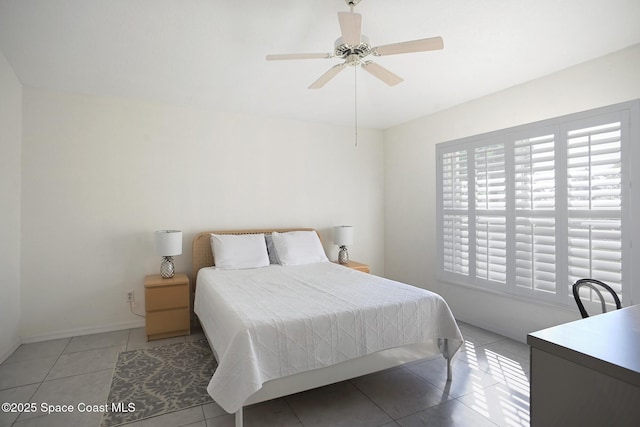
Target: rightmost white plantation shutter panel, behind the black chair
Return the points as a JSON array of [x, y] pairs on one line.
[[594, 187]]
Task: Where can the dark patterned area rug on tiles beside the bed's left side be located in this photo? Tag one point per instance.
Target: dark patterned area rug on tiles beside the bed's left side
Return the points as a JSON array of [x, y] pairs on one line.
[[156, 381]]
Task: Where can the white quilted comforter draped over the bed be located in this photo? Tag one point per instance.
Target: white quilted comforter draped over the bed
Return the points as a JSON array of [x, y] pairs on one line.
[[276, 321]]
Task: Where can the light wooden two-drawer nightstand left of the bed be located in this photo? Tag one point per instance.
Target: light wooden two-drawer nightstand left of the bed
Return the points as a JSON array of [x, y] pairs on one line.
[[167, 306]]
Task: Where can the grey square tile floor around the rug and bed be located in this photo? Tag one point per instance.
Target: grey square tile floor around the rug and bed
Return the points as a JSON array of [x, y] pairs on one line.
[[490, 387]]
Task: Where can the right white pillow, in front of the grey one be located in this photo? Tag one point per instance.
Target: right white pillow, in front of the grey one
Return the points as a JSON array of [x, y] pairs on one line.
[[298, 247]]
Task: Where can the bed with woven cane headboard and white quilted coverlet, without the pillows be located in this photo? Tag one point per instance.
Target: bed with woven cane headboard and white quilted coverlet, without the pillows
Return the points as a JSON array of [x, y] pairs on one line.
[[281, 329]]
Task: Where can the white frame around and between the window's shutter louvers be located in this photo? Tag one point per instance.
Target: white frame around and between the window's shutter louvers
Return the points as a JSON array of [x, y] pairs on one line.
[[627, 113]]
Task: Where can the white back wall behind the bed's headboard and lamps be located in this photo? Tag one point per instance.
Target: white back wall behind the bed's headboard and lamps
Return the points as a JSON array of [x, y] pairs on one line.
[[100, 174]]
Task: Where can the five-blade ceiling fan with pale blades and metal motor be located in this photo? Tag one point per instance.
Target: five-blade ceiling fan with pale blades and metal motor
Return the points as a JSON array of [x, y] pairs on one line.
[[354, 47]]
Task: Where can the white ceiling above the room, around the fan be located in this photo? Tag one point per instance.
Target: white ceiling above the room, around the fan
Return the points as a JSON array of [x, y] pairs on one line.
[[211, 53]]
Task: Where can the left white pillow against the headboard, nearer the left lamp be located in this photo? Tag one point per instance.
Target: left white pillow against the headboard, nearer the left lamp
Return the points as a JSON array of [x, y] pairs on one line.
[[239, 251]]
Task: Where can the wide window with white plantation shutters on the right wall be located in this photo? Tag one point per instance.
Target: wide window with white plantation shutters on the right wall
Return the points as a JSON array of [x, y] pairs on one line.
[[528, 211]]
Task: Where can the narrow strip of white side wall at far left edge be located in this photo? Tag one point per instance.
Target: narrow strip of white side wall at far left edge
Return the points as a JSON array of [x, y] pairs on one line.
[[10, 134]]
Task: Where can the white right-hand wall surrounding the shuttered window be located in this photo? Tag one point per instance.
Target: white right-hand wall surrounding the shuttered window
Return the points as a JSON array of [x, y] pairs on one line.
[[410, 190]]
